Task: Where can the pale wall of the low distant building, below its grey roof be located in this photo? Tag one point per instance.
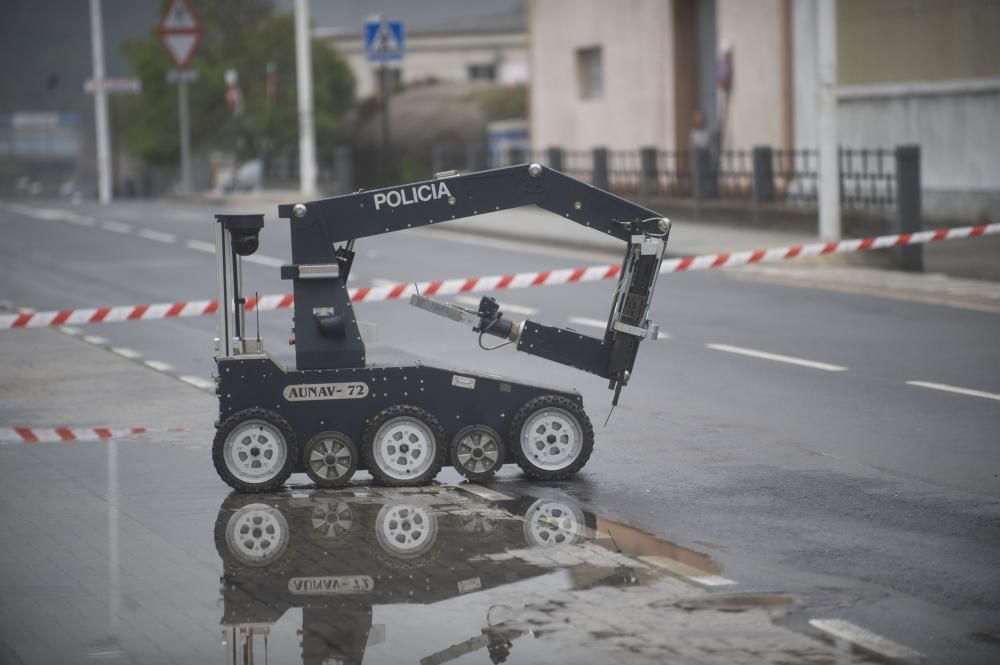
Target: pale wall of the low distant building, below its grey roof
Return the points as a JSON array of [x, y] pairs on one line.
[[443, 56]]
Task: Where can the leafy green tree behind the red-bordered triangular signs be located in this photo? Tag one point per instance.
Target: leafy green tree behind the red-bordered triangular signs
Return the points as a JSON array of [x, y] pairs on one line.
[[244, 35]]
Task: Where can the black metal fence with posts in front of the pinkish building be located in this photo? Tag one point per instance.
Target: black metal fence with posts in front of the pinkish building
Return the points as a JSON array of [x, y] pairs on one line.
[[761, 175]]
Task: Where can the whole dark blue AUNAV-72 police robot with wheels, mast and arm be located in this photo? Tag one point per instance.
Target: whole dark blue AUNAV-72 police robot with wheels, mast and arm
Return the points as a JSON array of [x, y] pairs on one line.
[[334, 413]]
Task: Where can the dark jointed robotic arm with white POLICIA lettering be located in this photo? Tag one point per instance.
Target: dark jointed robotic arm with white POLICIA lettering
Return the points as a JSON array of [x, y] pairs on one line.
[[319, 225]]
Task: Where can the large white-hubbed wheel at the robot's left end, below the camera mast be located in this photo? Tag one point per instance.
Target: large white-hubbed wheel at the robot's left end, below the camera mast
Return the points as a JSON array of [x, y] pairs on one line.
[[254, 450]]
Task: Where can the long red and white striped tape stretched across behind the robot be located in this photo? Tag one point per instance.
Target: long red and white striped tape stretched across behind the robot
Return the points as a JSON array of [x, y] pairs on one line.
[[493, 282]]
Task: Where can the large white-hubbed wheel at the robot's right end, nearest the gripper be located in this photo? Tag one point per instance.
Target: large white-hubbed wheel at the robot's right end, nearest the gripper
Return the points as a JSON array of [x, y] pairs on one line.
[[551, 437]]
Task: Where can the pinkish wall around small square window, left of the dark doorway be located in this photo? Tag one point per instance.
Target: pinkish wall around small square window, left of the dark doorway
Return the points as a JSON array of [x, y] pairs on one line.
[[636, 108]]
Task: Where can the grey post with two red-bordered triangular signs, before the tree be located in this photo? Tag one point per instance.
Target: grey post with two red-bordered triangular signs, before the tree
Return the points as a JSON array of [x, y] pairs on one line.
[[180, 33]]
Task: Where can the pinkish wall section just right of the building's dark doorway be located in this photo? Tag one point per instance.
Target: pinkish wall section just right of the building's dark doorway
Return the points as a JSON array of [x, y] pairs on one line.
[[757, 112]]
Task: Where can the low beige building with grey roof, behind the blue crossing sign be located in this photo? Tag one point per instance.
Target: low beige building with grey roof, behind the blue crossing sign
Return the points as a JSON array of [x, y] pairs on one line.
[[490, 48]]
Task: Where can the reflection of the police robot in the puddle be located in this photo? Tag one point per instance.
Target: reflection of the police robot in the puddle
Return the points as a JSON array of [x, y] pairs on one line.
[[338, 554]]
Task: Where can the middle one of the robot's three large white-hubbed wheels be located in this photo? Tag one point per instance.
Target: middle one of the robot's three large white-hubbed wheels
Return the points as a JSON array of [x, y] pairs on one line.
[[404, 445]]
